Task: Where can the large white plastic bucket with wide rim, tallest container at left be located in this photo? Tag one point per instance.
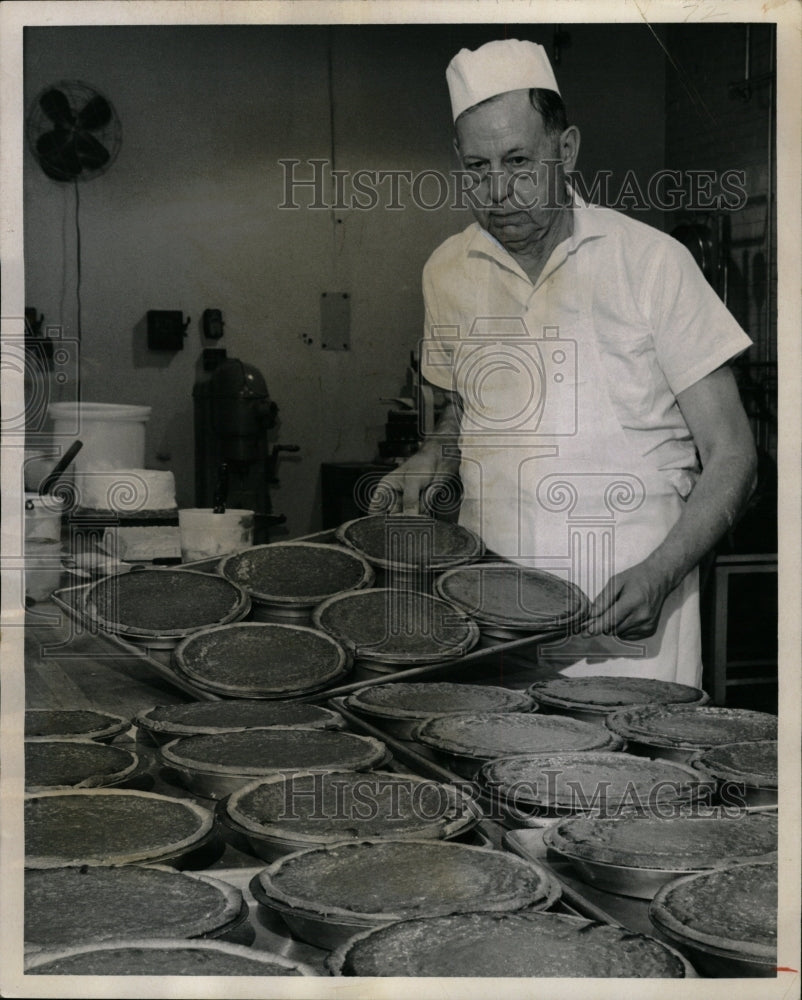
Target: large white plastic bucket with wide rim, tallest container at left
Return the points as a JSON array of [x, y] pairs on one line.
[[113, 434]]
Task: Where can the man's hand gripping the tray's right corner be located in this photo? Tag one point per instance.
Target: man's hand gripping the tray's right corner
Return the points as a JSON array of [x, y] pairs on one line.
[[629, 606]]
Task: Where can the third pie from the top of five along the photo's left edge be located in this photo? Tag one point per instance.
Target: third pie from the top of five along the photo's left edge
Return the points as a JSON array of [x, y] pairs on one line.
[[111, 827]]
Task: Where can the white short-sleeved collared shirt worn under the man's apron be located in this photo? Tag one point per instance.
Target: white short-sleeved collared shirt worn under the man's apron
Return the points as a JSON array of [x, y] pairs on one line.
[[659, 326]]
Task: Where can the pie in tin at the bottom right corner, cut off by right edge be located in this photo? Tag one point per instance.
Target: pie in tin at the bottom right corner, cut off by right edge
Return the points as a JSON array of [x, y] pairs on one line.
[[725, 919]]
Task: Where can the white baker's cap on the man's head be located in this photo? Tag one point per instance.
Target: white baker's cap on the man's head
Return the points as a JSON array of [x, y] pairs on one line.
[[496, 68]]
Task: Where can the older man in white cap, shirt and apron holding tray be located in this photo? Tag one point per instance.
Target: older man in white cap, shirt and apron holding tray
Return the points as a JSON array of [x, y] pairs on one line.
[[591, 415]]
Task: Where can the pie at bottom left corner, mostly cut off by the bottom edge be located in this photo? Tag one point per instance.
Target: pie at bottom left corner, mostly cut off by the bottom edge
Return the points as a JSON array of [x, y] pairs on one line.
[[165, 958]]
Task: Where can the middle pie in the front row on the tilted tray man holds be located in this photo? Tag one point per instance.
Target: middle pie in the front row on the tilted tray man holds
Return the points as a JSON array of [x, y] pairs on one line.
[[397, 628]]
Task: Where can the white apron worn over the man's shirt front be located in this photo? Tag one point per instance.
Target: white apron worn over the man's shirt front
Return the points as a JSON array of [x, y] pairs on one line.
[[551, 480]]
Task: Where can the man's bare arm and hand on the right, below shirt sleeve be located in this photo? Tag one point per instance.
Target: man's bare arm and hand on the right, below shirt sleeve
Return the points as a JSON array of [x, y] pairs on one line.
[[631, 602]]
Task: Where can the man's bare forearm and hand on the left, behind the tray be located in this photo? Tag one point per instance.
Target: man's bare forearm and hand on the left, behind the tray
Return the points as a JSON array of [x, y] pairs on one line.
[[435, 462]]
